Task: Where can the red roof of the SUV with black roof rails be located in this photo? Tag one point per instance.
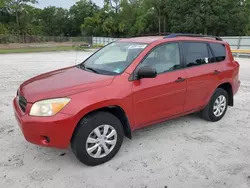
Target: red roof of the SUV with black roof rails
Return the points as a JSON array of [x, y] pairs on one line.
[[151, 39]]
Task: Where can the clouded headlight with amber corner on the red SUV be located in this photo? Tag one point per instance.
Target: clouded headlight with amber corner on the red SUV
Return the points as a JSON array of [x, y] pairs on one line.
[[48, 107]]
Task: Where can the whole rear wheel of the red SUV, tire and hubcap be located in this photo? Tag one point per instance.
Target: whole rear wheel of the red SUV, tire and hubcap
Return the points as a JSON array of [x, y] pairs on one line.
[[217, 106]]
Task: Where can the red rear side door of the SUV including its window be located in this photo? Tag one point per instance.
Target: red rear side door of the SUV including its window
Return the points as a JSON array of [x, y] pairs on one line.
[[202, 74]]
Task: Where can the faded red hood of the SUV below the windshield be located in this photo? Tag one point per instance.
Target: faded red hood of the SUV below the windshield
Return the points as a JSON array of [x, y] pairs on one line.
[[62, 83]]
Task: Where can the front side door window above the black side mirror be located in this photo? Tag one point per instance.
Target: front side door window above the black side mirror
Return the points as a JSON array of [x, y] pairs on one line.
[[164, 58]]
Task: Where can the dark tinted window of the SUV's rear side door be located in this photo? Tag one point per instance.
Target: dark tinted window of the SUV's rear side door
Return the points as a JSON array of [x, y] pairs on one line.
[[196, 53]]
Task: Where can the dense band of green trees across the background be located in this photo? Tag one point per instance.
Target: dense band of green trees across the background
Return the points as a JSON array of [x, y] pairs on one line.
[[122, 18]]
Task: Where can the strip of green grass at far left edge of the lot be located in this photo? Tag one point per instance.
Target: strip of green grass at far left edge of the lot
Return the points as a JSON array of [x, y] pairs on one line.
[[43, 49]]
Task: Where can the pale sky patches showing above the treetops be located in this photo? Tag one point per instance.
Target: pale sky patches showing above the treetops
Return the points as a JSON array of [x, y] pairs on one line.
[[62, 3]]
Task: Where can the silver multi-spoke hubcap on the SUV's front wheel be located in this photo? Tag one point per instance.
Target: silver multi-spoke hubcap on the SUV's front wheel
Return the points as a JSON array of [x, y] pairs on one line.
[[101, 141]]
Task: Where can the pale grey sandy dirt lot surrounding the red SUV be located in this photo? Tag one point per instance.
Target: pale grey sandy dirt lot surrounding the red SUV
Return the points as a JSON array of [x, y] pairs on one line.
[[183, 153]]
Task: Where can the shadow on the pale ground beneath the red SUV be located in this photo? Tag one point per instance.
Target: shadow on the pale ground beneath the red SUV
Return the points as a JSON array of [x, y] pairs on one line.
[[66, 157]]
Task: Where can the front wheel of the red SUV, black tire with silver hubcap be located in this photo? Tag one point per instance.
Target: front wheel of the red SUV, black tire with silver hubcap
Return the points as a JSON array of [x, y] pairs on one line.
[[85, 129]]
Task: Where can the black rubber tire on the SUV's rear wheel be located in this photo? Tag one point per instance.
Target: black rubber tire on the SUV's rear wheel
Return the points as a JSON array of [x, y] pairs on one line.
[[208, 112]]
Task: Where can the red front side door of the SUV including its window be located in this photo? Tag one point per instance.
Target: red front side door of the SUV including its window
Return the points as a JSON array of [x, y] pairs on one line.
[[159, 98]]
